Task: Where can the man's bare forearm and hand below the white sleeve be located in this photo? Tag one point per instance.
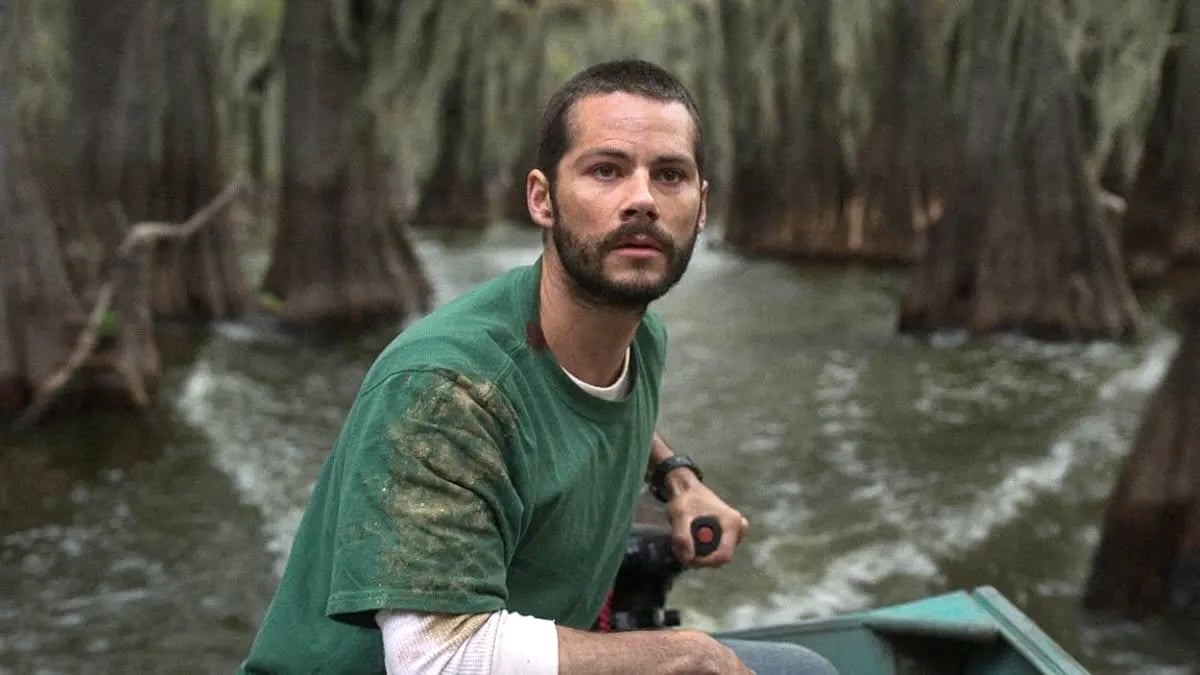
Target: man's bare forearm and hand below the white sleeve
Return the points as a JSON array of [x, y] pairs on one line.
[[662, 653]]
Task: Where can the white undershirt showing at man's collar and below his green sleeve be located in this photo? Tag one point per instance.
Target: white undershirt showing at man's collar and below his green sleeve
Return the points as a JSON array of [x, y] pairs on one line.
[[501, 643]]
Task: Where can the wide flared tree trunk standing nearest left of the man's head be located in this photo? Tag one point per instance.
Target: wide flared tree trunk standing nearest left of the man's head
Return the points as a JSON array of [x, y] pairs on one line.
[[338, 256]]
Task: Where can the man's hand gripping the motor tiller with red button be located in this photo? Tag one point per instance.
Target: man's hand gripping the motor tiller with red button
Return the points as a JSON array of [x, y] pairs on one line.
[[691, 499]]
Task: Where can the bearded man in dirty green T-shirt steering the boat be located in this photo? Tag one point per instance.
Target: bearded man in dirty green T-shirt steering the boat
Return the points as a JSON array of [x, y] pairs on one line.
[[477, 505]]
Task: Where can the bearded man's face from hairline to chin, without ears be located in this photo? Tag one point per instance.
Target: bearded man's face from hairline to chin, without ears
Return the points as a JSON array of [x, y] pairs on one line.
[[628, 202]]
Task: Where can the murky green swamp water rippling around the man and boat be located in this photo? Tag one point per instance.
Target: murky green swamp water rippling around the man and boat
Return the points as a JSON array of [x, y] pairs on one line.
[[875, 469]]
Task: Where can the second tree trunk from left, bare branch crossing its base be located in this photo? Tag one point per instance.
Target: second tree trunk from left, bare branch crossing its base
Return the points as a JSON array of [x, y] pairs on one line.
[[118, 97]]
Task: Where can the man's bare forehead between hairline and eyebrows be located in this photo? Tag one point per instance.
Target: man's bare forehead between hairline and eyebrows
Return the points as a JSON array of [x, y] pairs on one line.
[[631, 120]]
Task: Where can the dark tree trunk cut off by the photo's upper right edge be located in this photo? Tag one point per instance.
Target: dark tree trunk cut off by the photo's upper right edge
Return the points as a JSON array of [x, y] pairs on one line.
[[1162, 224]]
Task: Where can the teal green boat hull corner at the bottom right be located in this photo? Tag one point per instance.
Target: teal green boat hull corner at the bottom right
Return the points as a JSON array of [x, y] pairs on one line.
[[961, 634]]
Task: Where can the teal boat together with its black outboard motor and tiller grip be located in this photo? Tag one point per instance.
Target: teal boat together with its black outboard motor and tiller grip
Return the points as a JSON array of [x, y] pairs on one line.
[[969, 632]]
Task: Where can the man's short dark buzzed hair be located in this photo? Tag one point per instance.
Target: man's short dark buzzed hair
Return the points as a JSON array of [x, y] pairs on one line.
[[638, 77]]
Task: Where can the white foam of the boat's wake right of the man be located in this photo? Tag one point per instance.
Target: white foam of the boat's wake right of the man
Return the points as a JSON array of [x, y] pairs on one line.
[[847, 582]]
